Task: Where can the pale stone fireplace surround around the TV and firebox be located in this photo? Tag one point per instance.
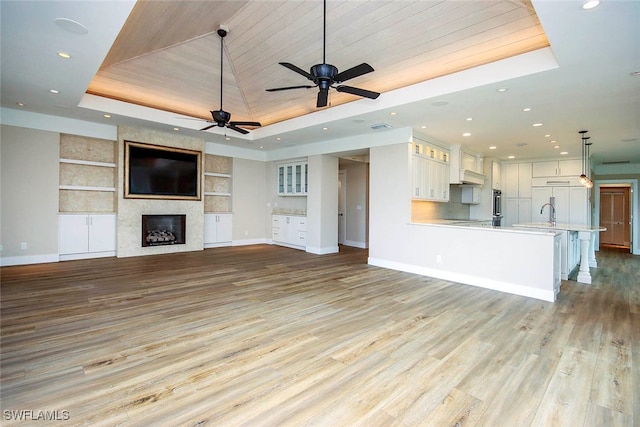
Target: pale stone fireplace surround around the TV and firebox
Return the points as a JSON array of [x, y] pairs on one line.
[[130, 211]]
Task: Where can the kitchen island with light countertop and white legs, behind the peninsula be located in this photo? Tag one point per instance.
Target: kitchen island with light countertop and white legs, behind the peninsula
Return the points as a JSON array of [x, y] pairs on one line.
[[571, 255]]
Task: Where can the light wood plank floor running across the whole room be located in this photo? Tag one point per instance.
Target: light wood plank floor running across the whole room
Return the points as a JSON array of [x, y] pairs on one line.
[[266, 336]]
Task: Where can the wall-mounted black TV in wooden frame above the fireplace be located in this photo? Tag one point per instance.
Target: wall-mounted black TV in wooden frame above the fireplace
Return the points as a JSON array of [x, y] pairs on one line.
[[157, 172]]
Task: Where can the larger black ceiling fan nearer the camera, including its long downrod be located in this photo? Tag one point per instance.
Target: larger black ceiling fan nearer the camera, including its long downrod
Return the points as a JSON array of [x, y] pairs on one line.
[[325, 76]]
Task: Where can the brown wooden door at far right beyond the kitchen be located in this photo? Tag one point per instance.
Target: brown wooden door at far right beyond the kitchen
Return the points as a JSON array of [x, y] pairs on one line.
[[615, 216]]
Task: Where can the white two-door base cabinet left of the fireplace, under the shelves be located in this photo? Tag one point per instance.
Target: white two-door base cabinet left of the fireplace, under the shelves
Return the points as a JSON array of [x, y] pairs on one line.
[[86, 236]]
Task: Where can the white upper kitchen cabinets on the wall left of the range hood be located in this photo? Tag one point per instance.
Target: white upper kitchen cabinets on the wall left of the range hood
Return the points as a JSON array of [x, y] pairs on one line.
[[430, 168]]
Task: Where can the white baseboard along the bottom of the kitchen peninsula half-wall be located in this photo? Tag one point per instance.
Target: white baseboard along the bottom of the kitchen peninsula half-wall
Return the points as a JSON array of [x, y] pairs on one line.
[[481, 282]]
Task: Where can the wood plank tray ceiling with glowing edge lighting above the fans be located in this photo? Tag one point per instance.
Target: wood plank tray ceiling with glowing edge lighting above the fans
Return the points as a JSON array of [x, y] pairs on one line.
[[167, 55]]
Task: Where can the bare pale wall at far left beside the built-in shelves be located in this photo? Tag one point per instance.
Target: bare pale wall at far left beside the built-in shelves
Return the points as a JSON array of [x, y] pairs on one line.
[[29, 177]]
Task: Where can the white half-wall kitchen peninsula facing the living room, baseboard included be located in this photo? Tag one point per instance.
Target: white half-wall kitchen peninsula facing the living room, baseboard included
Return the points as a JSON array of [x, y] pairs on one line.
[[517, 261]]
